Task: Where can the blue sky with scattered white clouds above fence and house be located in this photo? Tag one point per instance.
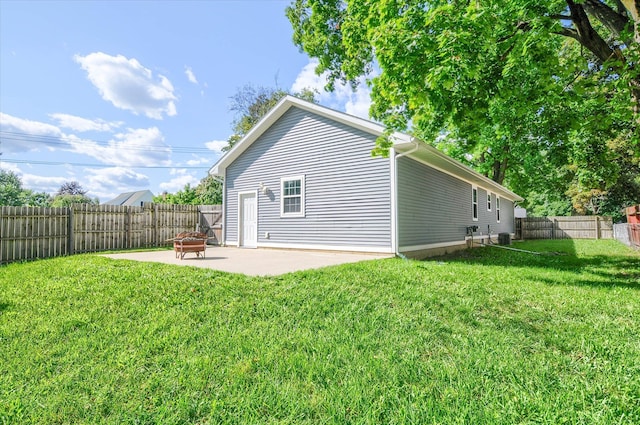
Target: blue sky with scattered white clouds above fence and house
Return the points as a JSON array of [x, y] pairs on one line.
[[122, 96]]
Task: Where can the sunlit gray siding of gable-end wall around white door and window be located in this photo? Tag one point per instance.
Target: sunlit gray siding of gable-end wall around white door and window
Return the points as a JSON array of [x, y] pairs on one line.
[[347, 192]]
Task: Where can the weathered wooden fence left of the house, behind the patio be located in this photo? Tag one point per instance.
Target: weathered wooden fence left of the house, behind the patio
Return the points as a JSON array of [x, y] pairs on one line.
[[35, 232]]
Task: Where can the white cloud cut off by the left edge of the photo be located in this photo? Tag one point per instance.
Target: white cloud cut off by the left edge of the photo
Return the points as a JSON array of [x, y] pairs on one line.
[[21, 135]]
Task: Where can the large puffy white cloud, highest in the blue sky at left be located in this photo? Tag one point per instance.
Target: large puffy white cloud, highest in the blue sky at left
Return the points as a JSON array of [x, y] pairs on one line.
[[128, 85]]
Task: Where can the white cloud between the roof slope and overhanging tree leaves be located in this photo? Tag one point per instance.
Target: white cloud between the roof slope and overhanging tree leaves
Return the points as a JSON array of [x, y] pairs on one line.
[[342, 98]]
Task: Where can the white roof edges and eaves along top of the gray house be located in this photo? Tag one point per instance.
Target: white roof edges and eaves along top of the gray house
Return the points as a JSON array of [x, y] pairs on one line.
[[402, 144]]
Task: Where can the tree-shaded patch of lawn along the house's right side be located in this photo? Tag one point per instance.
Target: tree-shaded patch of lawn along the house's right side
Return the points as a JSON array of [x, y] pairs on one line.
[[595, 267]]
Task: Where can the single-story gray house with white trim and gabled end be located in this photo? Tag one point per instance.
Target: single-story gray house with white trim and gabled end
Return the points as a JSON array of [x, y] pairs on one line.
[[304, 178]]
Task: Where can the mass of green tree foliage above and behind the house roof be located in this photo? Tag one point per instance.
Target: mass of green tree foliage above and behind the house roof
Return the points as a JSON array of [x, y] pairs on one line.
[[529, 93]]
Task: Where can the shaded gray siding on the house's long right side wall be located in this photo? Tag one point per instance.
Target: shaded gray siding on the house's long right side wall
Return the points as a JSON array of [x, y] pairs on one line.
[[436, 208]]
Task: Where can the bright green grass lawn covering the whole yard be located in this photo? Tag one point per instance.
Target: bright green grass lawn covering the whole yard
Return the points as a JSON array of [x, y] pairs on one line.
[[488, 336]]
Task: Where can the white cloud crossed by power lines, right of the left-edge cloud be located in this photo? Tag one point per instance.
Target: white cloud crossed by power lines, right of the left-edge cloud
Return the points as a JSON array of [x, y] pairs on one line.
[[134, 147]]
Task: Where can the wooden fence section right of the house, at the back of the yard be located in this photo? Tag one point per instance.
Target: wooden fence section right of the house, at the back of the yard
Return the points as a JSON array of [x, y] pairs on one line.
[[574, 227]]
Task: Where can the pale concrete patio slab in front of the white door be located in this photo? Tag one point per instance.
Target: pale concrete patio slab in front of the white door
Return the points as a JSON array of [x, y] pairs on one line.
[[252, 262]]
